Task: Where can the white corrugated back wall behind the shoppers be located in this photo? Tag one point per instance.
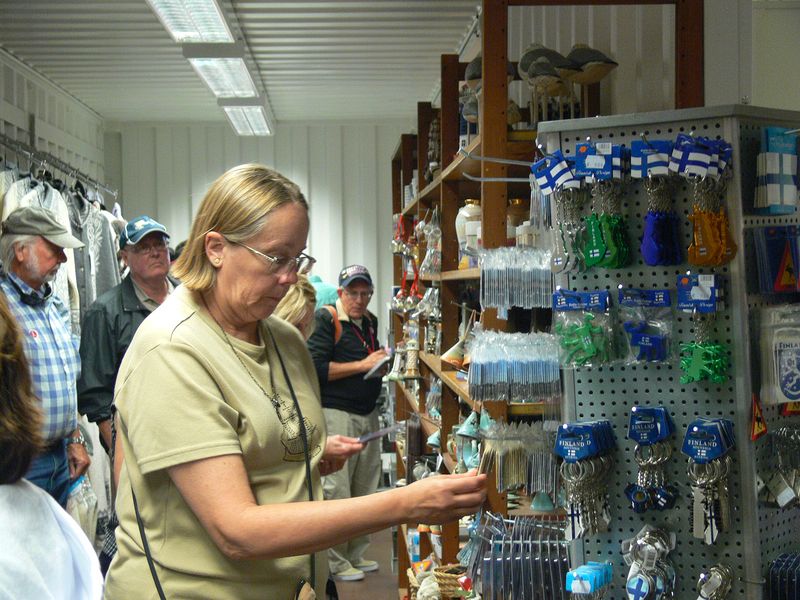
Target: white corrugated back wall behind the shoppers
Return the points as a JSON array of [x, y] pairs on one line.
[[344, 171]]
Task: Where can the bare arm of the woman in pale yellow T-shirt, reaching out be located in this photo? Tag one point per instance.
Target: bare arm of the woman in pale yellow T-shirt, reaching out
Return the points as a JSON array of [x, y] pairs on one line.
[[219, 494]]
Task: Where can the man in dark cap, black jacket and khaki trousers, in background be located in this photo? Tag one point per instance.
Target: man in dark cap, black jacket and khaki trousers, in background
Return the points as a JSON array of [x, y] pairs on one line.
[[344, 346]]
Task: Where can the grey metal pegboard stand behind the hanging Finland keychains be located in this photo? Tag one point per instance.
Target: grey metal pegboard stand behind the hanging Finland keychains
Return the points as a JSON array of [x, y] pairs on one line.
[[610, 392]]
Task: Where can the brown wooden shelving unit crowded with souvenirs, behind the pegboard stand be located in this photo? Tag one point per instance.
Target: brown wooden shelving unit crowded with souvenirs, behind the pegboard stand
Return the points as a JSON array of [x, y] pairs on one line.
[[452, 186]]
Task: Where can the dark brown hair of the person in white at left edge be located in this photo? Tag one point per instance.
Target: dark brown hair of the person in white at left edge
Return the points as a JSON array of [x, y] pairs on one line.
[[20, 413]]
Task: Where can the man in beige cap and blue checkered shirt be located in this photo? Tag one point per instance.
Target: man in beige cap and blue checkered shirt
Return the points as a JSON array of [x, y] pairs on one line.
[[32, 246]]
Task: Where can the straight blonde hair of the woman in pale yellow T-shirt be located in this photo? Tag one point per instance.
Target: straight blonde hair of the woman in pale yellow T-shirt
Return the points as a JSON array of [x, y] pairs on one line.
[[236, 205]]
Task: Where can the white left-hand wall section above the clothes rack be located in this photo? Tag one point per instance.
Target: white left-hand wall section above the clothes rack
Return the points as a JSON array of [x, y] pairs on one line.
[[64, 127]]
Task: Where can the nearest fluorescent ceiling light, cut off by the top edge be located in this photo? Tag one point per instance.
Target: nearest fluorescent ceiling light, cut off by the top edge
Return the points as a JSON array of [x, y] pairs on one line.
[[192, 21]]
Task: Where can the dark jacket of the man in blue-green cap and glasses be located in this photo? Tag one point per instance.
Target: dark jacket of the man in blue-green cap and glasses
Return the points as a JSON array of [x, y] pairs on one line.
[[107, 331]]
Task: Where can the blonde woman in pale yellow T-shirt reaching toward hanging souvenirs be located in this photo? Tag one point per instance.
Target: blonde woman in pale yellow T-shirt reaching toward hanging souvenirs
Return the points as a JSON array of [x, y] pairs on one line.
[[221, 426]]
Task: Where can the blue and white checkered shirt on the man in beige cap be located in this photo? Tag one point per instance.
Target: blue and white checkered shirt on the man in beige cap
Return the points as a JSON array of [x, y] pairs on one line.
[[52, 353]]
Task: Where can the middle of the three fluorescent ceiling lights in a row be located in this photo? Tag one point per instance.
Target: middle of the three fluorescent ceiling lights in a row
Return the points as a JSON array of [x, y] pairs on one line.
[[222, 68]]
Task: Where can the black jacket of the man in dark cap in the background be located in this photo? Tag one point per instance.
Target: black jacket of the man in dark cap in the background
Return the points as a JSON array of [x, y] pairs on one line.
[[352, 394]]
